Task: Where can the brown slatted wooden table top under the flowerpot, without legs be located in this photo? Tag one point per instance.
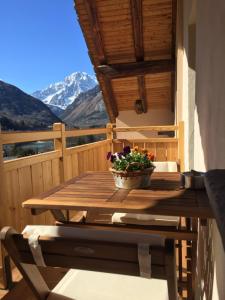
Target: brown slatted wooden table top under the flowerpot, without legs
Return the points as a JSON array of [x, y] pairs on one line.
[[96, 190]]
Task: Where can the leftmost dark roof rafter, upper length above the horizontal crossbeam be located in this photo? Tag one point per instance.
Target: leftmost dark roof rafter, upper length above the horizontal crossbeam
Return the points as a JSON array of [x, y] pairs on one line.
[[91, 9]]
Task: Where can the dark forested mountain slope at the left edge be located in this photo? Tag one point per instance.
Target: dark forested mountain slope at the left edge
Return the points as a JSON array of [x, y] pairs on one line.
[[20, 111]]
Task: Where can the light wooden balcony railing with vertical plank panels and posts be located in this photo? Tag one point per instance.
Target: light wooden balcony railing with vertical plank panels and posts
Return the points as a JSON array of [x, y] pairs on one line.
[[25, 177]]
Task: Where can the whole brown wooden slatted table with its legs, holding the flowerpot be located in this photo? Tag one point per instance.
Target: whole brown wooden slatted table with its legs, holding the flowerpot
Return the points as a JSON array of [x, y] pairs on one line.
[[95, 191]]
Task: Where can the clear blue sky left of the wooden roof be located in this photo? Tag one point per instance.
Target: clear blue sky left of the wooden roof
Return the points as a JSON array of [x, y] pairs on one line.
[[40, 43]]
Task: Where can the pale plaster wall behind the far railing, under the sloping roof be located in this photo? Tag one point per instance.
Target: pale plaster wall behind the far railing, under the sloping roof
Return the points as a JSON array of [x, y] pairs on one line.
[[152, 117]]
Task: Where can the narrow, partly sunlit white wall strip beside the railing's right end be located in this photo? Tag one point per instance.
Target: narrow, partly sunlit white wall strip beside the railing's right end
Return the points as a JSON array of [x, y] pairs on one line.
[[186, 71]]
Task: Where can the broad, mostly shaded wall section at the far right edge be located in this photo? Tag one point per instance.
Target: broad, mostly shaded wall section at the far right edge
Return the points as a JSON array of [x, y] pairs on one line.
[[210, 110]]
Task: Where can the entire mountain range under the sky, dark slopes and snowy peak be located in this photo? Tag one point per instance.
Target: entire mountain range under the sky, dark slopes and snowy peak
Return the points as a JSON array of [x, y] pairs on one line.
[[20, 111]]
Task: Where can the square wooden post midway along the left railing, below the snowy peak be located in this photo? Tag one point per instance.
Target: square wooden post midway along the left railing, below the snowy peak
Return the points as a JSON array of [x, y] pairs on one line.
[[60, 144]]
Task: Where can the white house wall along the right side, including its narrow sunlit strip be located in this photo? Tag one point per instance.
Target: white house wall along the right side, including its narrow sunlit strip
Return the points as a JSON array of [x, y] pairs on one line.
[[208, 128]]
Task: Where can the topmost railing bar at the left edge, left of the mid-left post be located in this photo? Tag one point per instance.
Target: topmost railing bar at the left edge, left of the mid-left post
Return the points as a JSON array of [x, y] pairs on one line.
[[20, 137]]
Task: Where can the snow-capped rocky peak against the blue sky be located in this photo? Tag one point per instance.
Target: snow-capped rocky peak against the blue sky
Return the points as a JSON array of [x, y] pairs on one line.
[[61, 94]]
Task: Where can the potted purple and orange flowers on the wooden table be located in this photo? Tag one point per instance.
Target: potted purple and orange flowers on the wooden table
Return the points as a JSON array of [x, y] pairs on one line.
[[131, 168]]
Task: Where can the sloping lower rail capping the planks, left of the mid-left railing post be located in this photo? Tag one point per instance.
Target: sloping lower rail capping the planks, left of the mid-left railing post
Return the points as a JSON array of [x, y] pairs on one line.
[[31, 160]]
